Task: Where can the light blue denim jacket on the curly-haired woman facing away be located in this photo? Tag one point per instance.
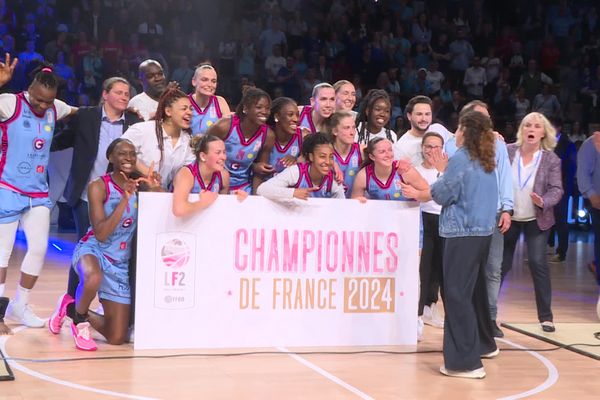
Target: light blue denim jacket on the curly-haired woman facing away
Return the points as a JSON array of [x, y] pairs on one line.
[[468, 196]]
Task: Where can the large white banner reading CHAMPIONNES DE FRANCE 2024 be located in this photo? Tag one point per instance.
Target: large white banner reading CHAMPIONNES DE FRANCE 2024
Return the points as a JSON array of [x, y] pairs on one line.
[[259, 273]]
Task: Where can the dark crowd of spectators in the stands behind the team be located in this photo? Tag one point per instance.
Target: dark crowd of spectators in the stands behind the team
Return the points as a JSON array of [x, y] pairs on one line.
[[516, 55]]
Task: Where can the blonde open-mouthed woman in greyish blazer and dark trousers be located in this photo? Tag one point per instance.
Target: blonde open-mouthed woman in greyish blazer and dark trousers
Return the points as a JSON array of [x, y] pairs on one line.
[[538, 188]]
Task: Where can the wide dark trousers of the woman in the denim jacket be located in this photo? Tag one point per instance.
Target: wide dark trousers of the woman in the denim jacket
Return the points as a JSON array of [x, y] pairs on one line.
[[467, 328]]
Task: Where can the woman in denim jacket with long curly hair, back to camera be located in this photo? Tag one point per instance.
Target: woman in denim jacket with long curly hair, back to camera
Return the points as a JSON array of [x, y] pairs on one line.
[[468, 193]]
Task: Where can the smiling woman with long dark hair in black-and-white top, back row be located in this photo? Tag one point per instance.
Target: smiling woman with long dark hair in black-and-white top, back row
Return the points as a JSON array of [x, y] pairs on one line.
[[373, 119]]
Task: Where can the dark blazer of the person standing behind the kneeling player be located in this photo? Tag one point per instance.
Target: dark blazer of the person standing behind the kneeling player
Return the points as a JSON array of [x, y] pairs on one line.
[[82, 133]]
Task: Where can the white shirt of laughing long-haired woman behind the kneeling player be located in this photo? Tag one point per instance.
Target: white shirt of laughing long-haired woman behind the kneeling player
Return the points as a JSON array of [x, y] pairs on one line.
[[143, 136]]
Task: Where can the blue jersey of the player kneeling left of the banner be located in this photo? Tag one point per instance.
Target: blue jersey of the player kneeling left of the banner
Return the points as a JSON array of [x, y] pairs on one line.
[[117, 247]]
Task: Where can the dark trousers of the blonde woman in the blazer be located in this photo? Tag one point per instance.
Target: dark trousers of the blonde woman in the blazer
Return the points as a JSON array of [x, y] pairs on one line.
[[536, 240]]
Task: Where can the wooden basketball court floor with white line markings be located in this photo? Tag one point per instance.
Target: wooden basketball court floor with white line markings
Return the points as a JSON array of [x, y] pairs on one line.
[[513, 374]]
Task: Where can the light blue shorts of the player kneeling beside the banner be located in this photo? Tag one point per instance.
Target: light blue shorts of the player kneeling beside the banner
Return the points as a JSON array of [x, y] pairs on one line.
[[115, 276]]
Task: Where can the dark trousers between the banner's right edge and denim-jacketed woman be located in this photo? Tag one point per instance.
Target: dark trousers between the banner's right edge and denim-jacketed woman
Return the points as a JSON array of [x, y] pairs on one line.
[[430, 268]]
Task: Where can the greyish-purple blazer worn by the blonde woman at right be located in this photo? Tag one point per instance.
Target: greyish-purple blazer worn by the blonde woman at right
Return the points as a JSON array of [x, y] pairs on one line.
[[547, 184]]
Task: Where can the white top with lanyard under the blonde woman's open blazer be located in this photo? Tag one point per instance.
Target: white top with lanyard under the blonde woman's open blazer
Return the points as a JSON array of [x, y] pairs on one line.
[[523, 179]]
